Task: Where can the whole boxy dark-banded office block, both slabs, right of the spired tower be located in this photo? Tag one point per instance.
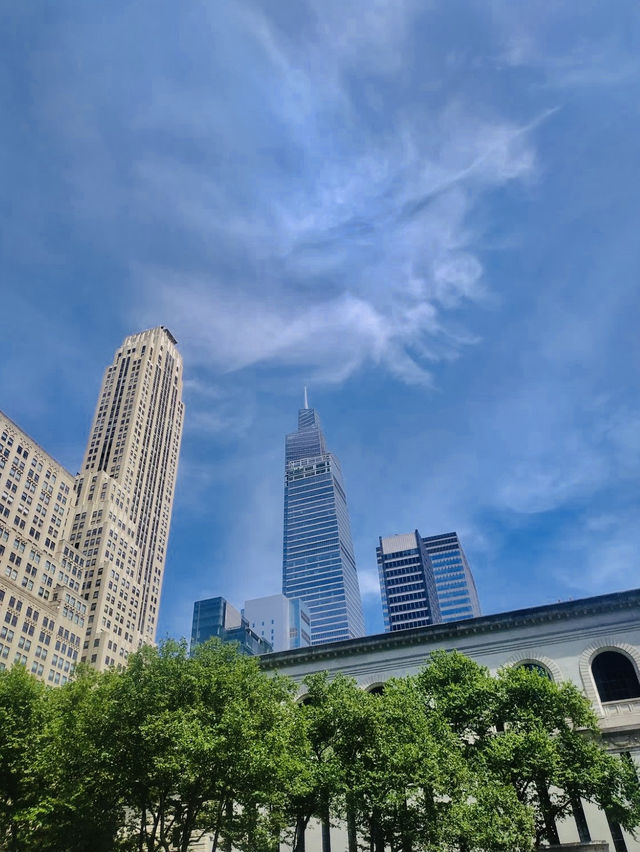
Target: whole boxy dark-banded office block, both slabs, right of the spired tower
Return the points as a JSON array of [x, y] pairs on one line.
[[424, 581]]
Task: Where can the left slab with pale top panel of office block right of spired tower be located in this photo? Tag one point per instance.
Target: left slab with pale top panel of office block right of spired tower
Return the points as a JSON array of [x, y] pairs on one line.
[[407, 584]]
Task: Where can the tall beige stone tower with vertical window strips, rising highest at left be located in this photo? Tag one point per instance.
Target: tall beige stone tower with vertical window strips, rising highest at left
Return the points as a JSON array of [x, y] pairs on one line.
[[125, 494]]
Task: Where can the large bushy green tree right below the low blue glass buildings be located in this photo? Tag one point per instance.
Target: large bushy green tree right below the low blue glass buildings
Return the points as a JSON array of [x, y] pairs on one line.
[[203, 744]]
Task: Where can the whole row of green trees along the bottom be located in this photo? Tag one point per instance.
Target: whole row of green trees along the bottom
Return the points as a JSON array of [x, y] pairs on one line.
[[148, 758]]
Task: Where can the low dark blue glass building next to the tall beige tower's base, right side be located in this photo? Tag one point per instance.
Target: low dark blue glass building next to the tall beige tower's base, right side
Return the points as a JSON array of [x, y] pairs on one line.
[[216, 618]]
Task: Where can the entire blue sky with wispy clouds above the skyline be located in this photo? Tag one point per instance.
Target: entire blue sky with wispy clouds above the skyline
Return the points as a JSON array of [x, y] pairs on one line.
[[425, 211]]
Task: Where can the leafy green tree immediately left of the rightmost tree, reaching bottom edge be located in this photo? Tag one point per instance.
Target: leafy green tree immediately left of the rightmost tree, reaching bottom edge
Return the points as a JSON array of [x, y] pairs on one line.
[[415, 788]]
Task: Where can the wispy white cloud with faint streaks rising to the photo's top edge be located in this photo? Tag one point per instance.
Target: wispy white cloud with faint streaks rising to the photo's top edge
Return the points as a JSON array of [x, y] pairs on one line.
[[369, 256]]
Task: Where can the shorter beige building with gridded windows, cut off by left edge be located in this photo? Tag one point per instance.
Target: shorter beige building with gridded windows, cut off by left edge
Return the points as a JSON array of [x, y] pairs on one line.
[[43, 614]]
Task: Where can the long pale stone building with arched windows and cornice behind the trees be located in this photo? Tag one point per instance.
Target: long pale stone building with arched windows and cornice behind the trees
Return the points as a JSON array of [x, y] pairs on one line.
[[594, 643]]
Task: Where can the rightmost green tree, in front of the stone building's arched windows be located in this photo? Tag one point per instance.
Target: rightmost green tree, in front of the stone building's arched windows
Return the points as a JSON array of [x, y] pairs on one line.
[[540, 737]]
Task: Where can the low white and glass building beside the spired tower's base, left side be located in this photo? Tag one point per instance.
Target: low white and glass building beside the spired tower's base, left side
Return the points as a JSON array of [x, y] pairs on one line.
[[284, 623]]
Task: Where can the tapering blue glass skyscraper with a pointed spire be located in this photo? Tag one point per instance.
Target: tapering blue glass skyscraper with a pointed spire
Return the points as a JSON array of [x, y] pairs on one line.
[[318, 562]]
